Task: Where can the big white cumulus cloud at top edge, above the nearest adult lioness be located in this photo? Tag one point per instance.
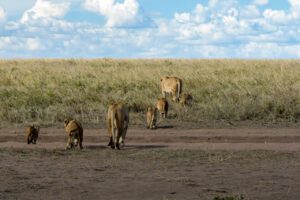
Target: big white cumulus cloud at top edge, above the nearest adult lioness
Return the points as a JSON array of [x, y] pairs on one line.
[[126, 14]]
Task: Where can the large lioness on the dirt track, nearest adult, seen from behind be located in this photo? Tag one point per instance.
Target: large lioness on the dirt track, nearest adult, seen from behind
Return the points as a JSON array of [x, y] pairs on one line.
[[117, 124]]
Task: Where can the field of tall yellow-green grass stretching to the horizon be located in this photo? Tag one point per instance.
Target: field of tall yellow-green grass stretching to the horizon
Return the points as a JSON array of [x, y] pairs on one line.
[[47, 91]]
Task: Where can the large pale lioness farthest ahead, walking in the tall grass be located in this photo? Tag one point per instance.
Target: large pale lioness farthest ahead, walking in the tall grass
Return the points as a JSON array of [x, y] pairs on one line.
[[171, 85]]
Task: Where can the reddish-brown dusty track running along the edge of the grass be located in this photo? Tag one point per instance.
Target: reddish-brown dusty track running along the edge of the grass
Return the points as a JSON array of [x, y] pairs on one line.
[[205, 139]]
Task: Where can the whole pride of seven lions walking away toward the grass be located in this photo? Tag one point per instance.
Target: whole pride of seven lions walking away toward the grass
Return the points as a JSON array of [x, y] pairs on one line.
[[118, 117]]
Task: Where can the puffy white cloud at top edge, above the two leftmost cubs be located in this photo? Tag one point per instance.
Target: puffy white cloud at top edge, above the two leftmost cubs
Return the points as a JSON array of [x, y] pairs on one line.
[[45, 9]]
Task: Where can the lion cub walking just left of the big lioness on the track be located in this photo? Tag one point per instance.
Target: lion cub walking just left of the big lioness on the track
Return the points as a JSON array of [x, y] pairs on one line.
[[75, 133]]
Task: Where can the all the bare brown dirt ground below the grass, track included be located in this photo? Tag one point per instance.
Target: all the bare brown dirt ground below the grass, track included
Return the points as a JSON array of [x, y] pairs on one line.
[[165, 163]]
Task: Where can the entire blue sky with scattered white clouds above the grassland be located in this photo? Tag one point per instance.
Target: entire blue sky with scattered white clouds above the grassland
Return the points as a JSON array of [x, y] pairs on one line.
[[150, 29]]
